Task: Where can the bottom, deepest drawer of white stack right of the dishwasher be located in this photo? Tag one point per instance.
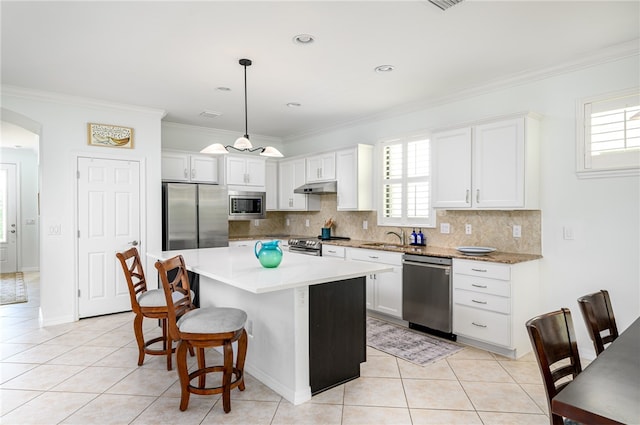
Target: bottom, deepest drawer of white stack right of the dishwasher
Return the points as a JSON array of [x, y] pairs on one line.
[[484, 325]]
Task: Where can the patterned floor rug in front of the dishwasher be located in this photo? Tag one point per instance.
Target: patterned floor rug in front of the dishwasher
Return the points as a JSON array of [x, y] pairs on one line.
[[407, 344]]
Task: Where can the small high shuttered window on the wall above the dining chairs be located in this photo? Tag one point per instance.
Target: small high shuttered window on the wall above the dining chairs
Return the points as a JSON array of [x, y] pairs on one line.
[[609, 135]]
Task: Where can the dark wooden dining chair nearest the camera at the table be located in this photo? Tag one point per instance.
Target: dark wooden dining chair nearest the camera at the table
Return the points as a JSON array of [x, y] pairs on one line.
[[554, 344]]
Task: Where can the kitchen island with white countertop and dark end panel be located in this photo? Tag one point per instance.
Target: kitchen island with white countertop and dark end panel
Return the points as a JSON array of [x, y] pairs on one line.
[[306, 318]]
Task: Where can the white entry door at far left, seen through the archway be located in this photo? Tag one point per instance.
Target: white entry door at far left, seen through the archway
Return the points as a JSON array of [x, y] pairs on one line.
[[8, 218]]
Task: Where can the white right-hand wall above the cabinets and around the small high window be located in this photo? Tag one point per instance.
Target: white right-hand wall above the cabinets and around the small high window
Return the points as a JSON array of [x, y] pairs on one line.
[[604, 213]]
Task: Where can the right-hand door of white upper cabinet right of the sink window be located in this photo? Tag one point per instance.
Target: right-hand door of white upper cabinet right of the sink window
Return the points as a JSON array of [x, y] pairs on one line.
[[498, 167]]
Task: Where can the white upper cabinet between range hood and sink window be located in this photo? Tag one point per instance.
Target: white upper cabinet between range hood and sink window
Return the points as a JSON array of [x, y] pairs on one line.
[[354, 176]]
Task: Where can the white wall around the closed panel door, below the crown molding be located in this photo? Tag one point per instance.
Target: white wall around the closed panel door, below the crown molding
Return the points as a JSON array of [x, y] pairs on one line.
[[63, 122]]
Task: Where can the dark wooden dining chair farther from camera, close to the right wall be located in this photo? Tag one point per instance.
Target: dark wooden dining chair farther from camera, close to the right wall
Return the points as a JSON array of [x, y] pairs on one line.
[[598, 316]]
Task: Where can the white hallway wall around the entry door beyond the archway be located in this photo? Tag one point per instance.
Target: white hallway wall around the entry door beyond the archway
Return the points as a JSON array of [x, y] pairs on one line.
[[27, 176]]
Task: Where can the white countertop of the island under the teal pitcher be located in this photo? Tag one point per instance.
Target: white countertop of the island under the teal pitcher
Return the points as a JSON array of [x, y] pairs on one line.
[[239, 267]]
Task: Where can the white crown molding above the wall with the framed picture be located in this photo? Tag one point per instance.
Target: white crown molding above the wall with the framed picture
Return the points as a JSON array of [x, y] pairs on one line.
[[64, 99]]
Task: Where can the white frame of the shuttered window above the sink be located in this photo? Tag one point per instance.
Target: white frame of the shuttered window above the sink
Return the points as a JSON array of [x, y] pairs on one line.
[[404, 220]]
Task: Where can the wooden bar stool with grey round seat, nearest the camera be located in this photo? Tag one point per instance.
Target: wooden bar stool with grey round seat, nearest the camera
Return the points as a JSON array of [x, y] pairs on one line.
[[203, 328]]
